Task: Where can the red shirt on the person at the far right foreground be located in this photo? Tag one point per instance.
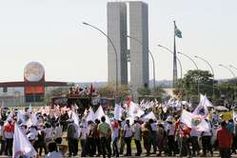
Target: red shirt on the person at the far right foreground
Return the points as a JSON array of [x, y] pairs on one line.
[[224, 138]]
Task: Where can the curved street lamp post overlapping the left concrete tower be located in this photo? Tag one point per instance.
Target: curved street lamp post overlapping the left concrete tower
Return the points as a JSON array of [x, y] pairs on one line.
[[112, 44]]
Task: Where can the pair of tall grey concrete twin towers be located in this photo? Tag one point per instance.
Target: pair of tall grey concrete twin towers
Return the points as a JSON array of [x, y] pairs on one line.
[[128, 31]]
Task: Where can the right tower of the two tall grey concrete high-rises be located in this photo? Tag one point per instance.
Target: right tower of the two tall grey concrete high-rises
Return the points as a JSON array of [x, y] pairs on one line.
[[138, 12]]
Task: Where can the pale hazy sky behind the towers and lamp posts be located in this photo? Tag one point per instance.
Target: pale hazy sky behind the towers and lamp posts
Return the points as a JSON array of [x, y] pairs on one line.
[[51, 32]]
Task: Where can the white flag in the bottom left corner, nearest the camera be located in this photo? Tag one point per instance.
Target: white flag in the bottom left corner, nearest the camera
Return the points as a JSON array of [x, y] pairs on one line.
[[21, 145]]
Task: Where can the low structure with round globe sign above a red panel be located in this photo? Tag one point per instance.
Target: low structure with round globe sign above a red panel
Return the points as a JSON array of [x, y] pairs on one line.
[[31, 90]]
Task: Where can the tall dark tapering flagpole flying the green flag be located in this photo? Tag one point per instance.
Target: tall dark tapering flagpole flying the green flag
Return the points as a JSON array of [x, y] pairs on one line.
[[174, 60]]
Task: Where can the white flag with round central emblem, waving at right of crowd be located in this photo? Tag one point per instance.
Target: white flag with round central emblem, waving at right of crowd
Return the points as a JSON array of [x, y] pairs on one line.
[[194, 121]]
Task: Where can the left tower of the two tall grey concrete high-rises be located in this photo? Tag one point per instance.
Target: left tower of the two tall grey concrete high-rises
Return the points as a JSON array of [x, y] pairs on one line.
[[117, 29]]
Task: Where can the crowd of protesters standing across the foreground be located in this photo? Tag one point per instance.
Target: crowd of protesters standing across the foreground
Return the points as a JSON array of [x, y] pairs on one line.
[[48, 129]]
